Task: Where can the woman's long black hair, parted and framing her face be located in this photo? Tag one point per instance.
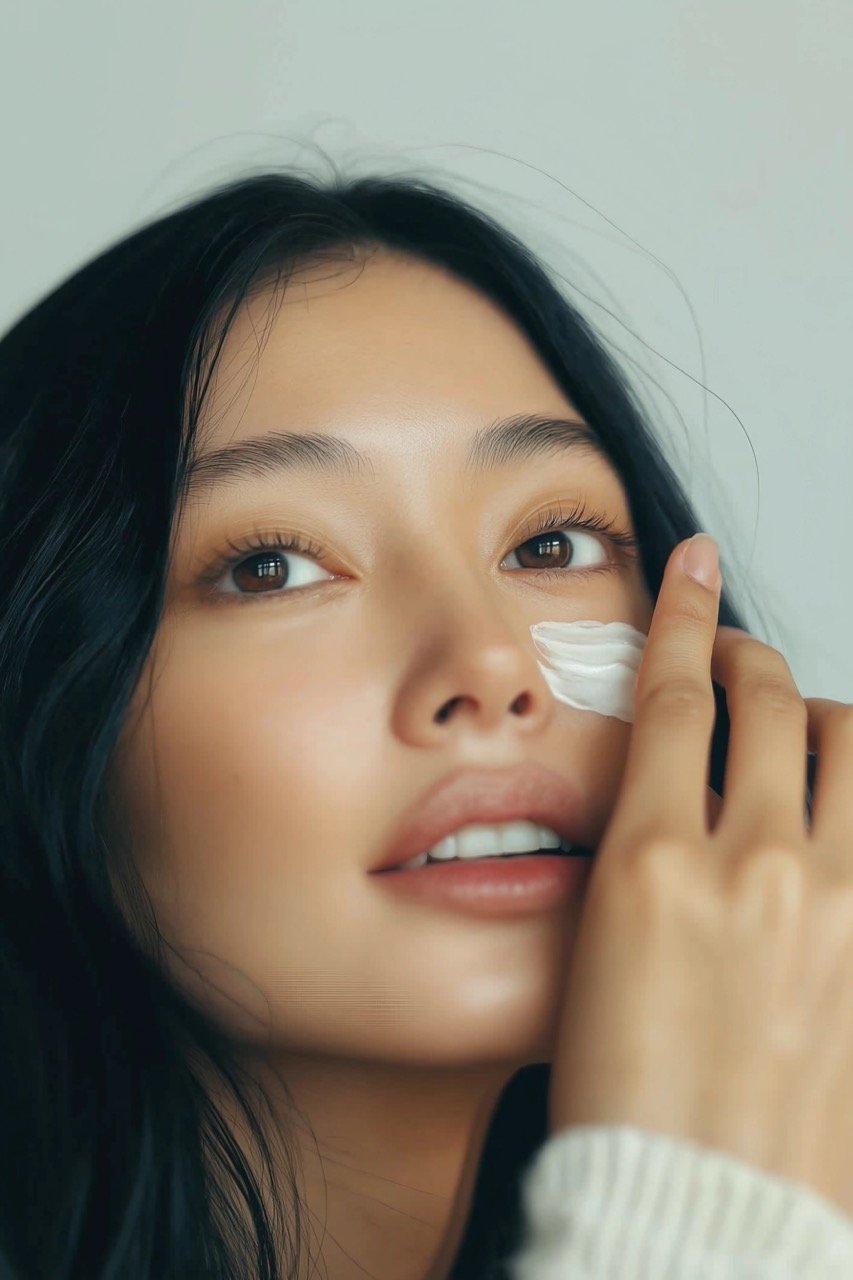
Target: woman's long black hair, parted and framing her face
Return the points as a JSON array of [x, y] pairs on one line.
[[116, 1163]]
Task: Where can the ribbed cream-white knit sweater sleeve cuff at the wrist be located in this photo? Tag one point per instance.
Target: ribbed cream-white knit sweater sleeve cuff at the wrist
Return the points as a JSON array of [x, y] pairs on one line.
[[613, 1203]]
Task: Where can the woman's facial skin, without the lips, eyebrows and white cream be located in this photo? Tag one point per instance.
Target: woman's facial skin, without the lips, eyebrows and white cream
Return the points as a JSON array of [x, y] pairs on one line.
[[293, 720]]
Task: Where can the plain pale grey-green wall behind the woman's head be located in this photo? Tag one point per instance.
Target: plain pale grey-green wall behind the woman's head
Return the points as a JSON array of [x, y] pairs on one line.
[[685, 166]]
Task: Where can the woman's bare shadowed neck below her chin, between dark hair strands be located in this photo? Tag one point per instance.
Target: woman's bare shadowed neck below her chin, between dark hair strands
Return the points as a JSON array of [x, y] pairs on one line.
[[386, 1159]]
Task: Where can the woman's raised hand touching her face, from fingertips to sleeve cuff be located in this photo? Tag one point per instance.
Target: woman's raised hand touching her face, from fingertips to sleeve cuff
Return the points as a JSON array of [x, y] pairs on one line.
[[710, 995]]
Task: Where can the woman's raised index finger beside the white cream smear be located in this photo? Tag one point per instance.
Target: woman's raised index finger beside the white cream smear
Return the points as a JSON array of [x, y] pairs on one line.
[[664, 788]]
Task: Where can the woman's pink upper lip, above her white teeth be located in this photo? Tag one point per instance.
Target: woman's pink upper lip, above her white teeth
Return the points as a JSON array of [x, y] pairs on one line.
[[528, 792]]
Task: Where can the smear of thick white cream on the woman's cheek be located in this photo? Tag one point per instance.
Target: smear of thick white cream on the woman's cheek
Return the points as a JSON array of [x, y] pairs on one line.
[[591, 666]]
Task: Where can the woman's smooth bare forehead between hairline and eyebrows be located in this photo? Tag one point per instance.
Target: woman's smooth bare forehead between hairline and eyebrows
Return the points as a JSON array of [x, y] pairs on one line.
[[386, 345]]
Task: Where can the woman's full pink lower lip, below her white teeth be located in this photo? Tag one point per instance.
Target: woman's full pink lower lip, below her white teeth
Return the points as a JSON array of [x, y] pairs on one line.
[[501, 889]]
